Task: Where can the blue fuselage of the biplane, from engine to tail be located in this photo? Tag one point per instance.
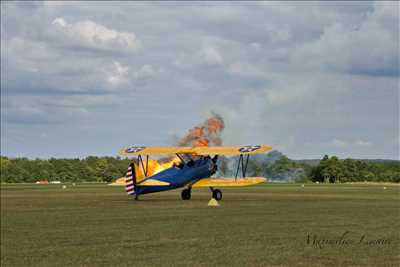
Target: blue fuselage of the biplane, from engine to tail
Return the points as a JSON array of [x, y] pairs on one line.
[[178, 177]]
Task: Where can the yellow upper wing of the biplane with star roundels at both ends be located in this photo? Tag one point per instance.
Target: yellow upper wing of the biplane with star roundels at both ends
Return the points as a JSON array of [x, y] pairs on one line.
[[220, 150]]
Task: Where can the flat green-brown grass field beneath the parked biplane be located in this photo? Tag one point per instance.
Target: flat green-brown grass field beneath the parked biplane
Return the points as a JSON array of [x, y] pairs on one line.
[[270, 224]]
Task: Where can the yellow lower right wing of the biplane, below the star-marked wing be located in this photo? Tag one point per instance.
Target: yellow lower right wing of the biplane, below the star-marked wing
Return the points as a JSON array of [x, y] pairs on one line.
[[224, 182]]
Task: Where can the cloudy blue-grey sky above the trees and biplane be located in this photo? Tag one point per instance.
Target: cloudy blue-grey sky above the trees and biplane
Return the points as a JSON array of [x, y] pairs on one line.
[[307, 78]]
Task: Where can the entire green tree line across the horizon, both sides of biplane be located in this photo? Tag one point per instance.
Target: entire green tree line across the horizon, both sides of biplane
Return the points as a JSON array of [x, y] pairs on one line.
[[274, 165]]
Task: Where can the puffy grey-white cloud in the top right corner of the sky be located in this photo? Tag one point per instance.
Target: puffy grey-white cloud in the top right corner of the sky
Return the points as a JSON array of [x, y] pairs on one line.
[[368, 48]]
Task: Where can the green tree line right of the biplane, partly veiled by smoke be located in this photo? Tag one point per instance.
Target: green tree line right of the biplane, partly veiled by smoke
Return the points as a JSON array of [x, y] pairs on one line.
[[279, 168]]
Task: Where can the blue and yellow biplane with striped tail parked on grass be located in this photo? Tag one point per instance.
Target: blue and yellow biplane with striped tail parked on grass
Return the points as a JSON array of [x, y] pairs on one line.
[[189, 167]]
